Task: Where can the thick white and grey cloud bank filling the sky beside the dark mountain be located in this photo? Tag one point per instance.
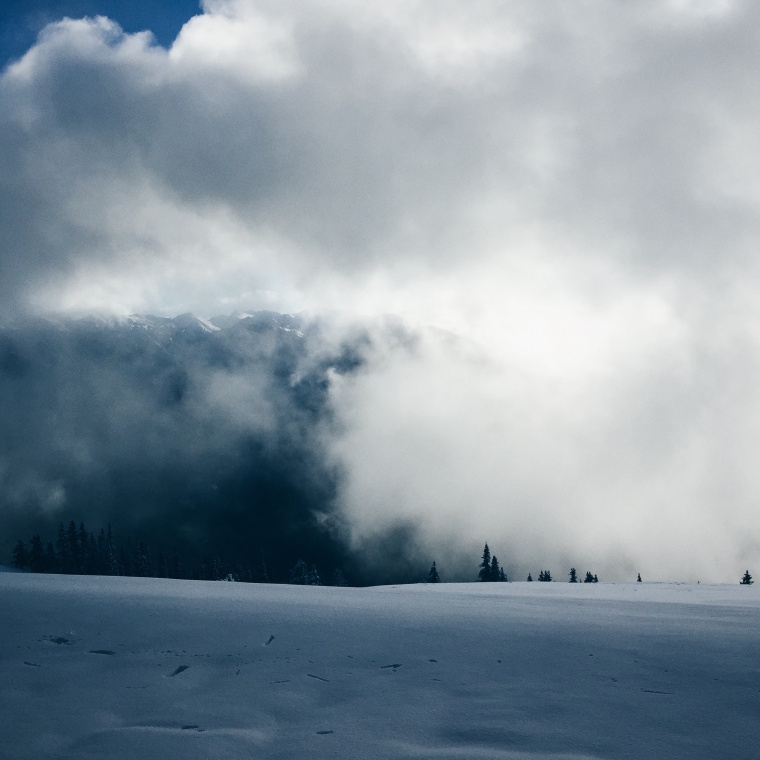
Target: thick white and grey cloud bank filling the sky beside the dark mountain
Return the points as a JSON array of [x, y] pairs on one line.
[[572, 191]]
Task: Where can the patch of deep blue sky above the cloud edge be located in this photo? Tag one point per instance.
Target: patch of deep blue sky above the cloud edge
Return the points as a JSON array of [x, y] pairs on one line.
[[21, 20]]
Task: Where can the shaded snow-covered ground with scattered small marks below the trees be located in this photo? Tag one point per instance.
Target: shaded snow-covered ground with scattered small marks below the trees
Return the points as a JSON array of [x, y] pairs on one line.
[[142, 668]]
